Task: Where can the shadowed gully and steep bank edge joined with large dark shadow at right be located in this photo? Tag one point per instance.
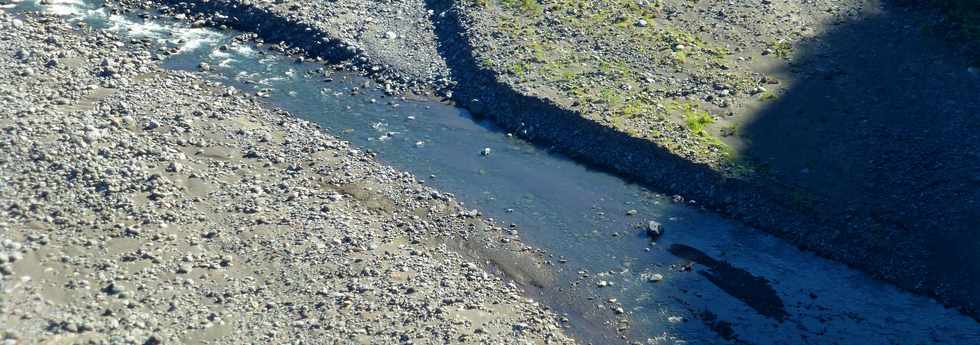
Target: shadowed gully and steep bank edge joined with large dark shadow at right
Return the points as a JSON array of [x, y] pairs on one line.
[[872, 151]]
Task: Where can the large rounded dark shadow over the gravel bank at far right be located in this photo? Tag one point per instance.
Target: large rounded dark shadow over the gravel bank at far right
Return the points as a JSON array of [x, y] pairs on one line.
[[881, 118]]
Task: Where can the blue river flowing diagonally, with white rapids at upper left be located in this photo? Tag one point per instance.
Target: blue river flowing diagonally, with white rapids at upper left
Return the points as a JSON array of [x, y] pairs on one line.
[[722, 282]]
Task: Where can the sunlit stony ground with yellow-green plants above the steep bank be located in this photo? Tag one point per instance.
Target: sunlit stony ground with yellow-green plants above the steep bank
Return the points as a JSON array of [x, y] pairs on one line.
[[636, 66]]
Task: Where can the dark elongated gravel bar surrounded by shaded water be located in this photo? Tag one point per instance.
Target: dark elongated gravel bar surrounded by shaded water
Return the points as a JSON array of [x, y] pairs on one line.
[[752, 290]]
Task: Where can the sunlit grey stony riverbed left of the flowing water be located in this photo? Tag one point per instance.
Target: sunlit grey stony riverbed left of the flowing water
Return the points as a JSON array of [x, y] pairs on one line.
[[139, 205]]
